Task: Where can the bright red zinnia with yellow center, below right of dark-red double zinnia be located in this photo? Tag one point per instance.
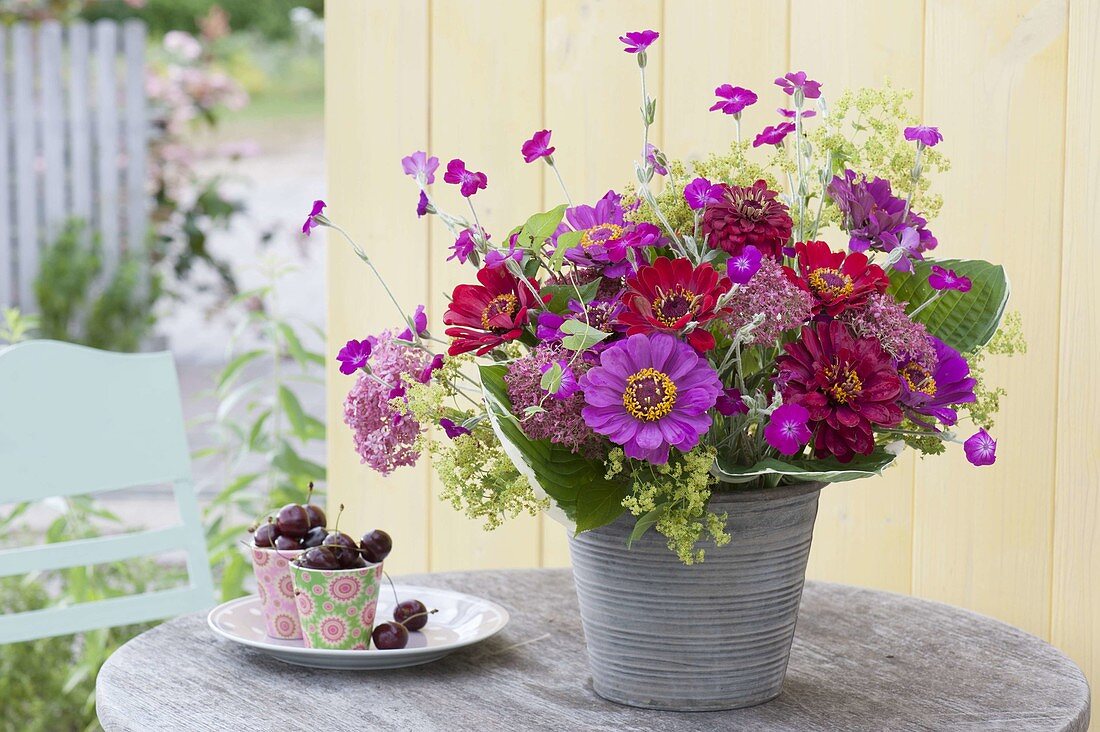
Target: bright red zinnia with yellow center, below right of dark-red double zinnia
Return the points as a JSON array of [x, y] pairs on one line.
[[837, 280]]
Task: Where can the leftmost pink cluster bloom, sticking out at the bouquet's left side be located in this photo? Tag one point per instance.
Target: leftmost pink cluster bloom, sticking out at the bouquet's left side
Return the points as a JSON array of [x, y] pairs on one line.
[[384, 438]]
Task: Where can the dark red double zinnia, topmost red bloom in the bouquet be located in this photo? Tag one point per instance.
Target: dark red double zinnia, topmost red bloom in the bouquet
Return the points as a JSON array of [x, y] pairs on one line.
[[747, 215]]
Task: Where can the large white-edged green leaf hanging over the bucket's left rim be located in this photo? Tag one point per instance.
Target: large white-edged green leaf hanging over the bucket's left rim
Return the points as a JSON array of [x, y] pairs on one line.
[[577, 486]]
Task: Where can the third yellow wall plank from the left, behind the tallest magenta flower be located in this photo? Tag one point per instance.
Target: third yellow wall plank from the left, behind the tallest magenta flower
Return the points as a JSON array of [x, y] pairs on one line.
[[596, 119]]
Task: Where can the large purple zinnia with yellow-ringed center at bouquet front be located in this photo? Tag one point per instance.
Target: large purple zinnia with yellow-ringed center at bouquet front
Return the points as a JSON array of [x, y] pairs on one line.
[[650, 394]]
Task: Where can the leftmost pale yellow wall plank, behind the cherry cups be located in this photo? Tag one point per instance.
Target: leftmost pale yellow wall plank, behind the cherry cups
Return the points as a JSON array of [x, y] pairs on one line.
[[377, 111]]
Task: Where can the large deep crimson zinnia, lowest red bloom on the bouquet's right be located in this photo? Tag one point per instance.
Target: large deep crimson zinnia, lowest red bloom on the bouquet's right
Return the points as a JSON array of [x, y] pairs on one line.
[[848, 385]]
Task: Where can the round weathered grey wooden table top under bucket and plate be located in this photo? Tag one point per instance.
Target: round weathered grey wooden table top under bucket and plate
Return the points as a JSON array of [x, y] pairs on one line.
[[862, 661]]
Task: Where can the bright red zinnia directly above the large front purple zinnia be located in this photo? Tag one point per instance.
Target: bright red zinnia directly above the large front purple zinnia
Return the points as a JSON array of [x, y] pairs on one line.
[[669, 294]]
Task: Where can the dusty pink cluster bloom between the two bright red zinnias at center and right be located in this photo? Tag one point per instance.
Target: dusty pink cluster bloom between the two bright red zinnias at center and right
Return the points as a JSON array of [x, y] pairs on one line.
[[771, 292]]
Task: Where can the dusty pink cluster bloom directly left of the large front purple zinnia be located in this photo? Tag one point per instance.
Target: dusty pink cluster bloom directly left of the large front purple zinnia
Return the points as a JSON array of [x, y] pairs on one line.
[[562, 423]]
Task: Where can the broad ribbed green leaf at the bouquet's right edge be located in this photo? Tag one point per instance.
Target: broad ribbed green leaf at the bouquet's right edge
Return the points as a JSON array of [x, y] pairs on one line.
[[963, 321]]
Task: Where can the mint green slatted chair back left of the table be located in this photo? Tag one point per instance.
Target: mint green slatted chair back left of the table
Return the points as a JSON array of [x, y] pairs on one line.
[[76, 421]]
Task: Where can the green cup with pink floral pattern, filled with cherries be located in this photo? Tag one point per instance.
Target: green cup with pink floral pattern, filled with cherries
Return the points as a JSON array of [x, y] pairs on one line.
[[337, 607]]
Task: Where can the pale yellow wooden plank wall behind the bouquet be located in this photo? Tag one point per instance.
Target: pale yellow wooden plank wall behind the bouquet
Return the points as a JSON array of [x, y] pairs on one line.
[[1014, 85]]
